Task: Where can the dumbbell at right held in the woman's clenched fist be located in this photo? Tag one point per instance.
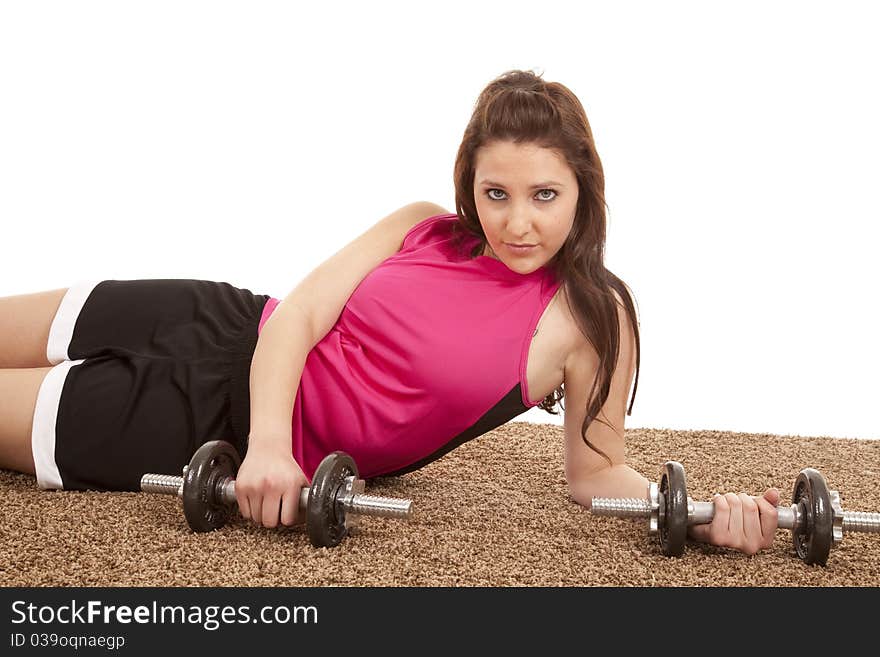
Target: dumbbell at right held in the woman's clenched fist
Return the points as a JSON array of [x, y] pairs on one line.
[[815, 517]]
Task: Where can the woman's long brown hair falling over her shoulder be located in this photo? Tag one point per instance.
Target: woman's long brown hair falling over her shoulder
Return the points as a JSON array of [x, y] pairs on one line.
[[521, 107]]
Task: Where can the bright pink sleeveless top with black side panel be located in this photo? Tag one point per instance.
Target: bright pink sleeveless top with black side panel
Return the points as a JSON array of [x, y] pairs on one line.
[[426, 346]]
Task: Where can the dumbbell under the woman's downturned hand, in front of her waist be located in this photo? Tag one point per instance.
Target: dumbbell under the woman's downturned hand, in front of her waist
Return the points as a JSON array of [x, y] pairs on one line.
[[207, 489]]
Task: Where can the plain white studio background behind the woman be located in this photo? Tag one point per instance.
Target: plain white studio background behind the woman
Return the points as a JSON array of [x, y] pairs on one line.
[[249, 141]]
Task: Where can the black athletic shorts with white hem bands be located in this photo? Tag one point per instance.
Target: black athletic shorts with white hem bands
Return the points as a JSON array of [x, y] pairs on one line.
[[144, 372]]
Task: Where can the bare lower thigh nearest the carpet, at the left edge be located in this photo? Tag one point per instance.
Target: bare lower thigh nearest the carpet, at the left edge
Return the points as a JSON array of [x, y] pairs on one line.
[[18, 399]]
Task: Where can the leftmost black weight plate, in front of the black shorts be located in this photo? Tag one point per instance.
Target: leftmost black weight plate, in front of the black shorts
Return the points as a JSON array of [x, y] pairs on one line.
[[202, 506]]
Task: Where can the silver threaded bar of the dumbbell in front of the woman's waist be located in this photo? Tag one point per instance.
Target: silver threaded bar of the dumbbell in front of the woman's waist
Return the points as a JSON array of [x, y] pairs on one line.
[[352, 498]]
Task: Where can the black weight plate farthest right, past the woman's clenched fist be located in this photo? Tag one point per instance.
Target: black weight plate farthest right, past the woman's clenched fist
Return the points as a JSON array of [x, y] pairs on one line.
[[813, 543]]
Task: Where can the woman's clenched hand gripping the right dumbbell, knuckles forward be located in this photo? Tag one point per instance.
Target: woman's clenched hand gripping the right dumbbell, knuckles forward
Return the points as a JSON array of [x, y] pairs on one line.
[[743, 522]]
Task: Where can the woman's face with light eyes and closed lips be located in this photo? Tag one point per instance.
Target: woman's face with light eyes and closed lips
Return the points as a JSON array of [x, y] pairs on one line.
[[524, 194]]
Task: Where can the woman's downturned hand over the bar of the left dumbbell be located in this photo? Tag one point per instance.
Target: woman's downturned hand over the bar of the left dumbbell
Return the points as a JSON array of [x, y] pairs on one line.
[[268, 484]]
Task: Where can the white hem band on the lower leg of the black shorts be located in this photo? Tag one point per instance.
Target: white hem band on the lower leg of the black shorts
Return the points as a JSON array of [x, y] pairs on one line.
[[43, 430]]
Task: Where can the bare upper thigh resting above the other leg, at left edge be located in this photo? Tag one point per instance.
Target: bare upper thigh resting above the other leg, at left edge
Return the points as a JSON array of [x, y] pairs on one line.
[[25, 320]]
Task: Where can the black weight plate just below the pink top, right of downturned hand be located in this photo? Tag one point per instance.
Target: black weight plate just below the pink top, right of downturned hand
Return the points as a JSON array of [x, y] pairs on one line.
[[324, 520]]
